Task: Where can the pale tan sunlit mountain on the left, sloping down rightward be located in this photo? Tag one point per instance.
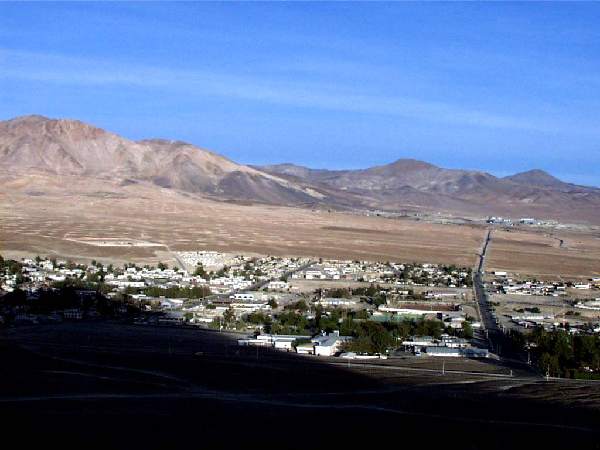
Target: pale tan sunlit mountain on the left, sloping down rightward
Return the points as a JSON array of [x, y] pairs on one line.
[[67, 147]]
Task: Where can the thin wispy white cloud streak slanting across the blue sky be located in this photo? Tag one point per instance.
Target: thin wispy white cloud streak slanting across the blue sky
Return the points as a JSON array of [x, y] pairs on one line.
[[47, 68]]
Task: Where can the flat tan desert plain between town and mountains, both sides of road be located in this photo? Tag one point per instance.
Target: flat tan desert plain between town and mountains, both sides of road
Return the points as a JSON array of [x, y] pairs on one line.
[[80, 219]]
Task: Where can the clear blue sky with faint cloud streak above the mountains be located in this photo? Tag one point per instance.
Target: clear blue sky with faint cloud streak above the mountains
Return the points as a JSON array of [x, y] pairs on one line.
[[497, 87]]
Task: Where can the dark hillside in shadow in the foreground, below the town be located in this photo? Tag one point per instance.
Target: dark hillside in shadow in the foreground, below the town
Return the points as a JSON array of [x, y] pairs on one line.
[[107, 385]]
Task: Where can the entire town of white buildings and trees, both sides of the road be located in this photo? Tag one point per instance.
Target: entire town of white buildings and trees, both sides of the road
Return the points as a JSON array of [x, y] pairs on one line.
[[344, 309]]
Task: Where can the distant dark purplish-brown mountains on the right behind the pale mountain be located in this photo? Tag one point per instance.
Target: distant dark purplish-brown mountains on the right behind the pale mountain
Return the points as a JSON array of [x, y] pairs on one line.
[[411, 183]]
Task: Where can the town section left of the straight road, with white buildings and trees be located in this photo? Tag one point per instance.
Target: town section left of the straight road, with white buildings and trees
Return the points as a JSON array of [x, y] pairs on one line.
[[354, 309]]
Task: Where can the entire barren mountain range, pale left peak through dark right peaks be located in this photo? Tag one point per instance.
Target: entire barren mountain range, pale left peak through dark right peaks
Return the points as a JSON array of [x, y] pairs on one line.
[[58, 148]]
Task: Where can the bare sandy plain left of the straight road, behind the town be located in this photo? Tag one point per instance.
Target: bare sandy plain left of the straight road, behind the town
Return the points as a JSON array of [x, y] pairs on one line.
[[40, 218]]
